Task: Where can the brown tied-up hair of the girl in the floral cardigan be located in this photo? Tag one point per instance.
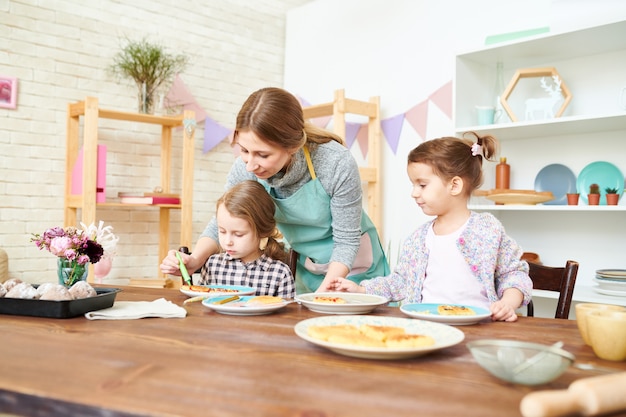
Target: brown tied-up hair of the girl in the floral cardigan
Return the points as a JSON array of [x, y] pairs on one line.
[[451, 157]]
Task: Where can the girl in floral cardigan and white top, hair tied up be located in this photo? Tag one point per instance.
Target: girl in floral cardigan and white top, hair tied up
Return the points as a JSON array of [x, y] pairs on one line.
[[460, 257]]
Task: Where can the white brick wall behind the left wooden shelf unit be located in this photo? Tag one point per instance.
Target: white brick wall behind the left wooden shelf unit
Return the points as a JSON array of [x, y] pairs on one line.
[[60, 49]]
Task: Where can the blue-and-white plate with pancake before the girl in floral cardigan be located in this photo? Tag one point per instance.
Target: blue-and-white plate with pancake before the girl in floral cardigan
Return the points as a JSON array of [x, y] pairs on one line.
[[452, 314]]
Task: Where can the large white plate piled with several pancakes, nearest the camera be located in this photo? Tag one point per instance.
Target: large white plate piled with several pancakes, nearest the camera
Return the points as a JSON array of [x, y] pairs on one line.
[[372, 331]]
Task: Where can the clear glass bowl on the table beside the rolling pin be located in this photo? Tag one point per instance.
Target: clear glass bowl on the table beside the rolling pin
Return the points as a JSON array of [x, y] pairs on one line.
[[518, 362]]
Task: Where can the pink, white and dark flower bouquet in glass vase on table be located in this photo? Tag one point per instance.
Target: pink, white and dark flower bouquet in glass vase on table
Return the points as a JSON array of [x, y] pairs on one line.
[[75, 248]]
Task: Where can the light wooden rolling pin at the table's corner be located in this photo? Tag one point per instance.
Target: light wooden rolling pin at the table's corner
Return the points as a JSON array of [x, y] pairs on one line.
[[587, 396]]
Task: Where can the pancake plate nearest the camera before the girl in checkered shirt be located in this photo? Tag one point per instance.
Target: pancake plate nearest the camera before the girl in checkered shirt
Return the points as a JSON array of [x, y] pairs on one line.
[[245, 305]]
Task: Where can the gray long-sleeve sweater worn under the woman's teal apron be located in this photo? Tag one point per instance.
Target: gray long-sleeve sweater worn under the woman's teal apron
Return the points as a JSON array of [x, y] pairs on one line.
[[338, 174]]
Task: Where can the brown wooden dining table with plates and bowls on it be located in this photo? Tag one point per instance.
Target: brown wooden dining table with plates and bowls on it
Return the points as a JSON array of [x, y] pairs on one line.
[[212, 364]]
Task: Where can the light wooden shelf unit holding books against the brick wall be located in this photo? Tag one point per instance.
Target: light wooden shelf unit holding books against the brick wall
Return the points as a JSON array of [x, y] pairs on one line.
[[91, 113]]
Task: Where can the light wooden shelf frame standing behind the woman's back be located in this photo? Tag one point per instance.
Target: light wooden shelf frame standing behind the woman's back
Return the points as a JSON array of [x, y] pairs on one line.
[[370, 174]]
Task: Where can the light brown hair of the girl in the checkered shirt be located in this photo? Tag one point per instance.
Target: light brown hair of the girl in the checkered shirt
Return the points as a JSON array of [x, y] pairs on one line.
[[248, 200]]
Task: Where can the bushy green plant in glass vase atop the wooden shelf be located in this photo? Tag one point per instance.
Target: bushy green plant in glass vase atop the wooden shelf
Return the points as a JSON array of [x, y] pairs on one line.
[[149, 66]]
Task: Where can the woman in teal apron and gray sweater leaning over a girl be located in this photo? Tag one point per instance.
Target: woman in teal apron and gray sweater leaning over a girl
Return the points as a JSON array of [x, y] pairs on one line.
[[315, 184]]
